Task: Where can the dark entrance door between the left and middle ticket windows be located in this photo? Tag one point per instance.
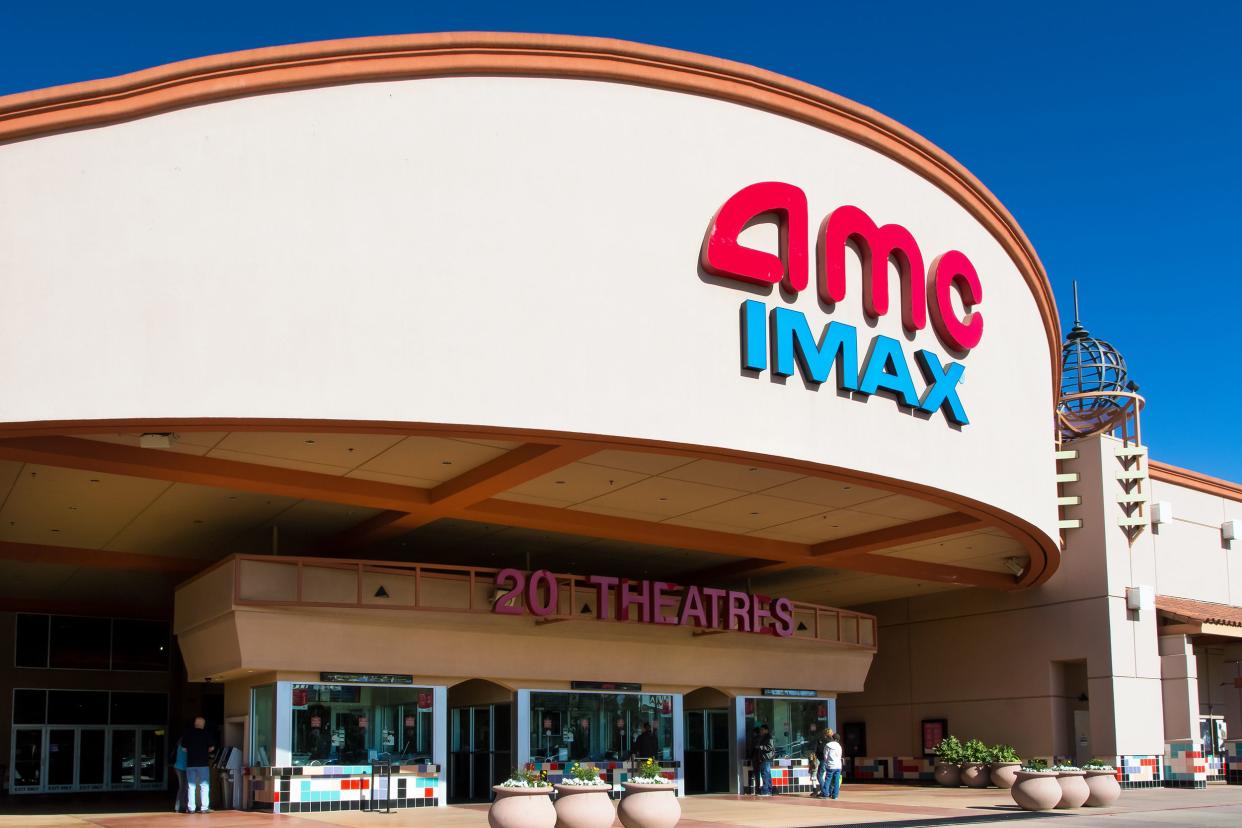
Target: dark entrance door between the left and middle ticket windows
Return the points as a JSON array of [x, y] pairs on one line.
[[480, 752]]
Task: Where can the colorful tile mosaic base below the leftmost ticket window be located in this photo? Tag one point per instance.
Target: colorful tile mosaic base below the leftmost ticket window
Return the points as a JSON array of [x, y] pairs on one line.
[[343, 788]]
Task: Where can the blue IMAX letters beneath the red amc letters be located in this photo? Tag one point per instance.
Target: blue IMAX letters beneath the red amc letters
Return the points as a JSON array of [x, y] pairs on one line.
[[838, 351]]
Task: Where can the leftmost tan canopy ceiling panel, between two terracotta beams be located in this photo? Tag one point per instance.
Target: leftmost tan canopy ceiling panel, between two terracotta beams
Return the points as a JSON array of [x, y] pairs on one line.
[[73, 508]]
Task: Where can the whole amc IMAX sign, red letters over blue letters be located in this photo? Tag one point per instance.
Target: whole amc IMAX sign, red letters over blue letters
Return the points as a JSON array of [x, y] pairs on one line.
[[786, 336]]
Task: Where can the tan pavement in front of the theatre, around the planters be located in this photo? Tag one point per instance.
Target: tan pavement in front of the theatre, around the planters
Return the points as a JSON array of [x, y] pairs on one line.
[[861, 805]]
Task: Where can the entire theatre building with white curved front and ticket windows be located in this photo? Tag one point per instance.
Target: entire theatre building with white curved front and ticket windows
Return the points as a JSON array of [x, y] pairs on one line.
[[420, 408]]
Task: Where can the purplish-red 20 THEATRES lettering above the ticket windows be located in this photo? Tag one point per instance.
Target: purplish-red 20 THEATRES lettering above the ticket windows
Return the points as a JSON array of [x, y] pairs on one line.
[[650, 603]]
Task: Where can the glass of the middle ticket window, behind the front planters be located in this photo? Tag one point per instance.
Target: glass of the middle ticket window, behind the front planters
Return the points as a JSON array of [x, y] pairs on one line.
[[601, 727]]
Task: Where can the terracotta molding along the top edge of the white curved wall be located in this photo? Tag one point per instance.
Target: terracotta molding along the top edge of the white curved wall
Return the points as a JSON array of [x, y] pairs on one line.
[[260, 71]]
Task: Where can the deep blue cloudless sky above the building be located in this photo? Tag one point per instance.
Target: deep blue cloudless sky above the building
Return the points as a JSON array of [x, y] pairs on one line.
[[1112, 131]]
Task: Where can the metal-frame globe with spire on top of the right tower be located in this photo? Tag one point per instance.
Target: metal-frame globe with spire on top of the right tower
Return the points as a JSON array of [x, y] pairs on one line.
[[1097, 394]]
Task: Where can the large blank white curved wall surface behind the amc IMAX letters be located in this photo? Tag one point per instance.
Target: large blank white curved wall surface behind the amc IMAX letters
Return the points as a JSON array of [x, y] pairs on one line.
[[491, 251]]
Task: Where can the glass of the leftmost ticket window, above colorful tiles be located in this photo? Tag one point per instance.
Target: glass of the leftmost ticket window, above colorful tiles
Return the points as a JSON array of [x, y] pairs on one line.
[[351, 724]]
